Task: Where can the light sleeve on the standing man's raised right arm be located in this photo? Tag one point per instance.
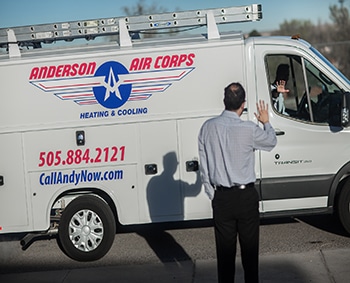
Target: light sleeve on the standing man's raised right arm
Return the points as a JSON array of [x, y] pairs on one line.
[[265, 139]]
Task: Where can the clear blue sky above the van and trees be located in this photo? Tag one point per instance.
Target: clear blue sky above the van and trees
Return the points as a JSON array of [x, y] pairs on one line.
[[30, 12]]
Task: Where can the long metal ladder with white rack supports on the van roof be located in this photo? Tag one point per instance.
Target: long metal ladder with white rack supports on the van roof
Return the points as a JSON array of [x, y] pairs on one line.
[[46, 33]]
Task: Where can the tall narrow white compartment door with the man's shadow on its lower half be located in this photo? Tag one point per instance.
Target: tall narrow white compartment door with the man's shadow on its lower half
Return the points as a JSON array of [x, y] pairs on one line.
[[161, 197]]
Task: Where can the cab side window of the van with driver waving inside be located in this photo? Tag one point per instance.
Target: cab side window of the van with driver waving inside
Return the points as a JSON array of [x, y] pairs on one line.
[[311, 96]]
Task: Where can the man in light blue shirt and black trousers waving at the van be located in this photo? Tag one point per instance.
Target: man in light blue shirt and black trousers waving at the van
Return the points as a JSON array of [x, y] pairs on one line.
[[227, 160]]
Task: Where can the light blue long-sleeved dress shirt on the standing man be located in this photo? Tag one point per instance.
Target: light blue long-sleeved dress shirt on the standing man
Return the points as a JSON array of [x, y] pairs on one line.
[[226, 150]]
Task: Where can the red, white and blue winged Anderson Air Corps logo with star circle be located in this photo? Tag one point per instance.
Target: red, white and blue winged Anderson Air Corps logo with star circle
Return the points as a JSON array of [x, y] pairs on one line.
[[112, 84]]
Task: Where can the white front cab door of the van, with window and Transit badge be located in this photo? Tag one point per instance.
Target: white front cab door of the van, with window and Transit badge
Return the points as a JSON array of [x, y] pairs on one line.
[[298, 173]]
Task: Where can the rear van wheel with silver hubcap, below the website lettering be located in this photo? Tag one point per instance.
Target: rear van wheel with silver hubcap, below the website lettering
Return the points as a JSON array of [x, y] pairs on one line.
[[87, 229]]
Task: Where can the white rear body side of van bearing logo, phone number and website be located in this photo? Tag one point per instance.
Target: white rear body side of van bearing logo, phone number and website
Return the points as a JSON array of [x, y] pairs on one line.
[[135, 108]]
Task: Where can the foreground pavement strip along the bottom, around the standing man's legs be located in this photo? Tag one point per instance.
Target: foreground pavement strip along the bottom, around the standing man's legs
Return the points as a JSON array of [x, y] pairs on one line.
[[321, 266]]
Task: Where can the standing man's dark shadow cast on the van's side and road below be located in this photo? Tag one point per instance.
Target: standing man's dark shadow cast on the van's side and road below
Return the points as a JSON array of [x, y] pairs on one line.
[[165, 198]]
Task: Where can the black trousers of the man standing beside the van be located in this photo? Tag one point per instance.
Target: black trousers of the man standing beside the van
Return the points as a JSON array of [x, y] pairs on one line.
[[236, 212]]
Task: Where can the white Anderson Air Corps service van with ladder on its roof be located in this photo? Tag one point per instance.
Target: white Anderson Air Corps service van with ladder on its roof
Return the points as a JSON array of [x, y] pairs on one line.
[[101, 134]]
